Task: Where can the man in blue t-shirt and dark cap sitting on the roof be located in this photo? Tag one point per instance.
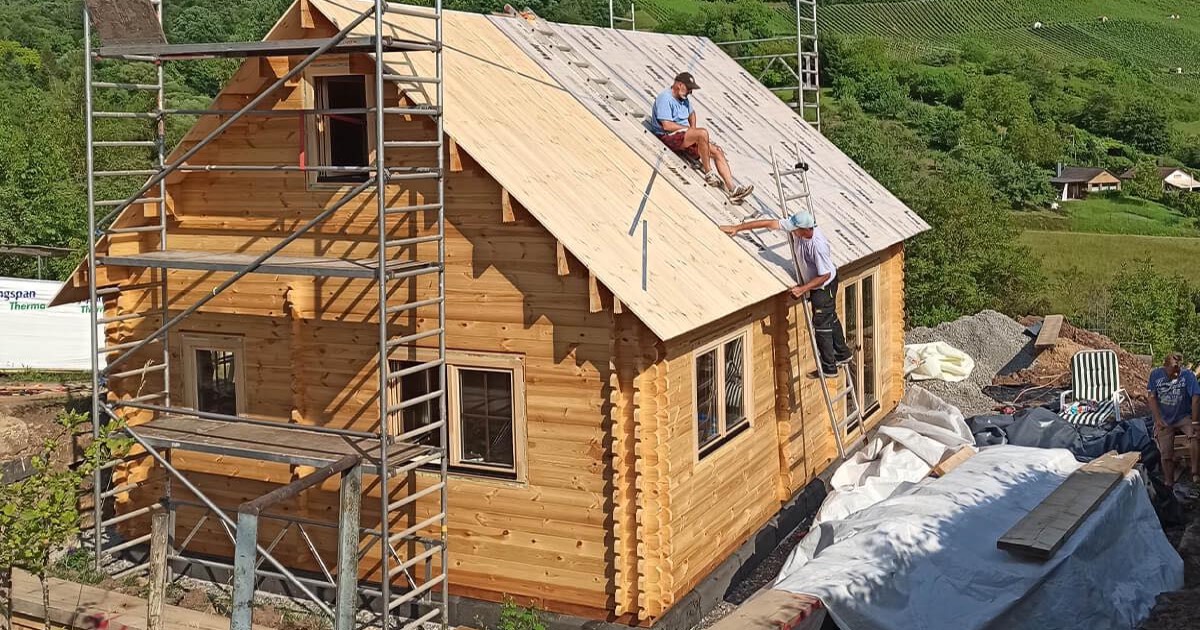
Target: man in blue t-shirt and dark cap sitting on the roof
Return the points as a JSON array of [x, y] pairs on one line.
[[674, 121]]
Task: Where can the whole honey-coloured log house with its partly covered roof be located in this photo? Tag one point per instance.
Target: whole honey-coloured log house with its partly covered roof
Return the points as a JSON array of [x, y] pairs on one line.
[[629, 399]]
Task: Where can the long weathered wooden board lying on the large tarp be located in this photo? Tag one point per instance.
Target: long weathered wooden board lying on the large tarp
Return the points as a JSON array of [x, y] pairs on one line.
[[1048, 526]]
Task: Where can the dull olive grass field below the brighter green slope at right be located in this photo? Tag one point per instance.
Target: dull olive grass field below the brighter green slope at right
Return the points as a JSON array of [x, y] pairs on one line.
[[1076, 263]]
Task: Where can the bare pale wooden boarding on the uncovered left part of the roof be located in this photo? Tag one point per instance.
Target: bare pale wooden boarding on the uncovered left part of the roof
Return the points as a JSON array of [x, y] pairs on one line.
[[578, 179]]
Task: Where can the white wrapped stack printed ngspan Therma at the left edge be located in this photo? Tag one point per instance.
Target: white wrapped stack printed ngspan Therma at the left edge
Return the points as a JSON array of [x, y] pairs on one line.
[[37, 337]]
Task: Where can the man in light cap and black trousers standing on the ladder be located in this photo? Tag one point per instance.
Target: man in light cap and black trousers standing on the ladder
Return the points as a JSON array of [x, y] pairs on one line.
[[815, 260]]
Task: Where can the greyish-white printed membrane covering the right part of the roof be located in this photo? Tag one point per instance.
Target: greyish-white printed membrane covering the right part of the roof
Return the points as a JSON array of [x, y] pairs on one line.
[[859, 215]]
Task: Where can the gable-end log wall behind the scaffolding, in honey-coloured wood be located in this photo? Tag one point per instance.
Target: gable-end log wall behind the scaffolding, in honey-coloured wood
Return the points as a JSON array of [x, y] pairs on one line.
[[309, 352]]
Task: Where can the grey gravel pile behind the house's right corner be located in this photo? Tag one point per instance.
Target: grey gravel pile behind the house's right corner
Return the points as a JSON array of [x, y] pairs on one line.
[[999, 346]]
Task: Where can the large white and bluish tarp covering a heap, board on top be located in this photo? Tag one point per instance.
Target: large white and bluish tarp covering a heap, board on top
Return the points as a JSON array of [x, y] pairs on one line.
[[927, 557]]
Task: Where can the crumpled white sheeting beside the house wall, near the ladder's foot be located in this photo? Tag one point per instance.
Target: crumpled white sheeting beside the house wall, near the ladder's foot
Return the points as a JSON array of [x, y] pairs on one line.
[[921, 433]]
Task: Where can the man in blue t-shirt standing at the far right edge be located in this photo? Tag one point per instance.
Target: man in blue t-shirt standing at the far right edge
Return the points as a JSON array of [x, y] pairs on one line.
[[1175, 405]]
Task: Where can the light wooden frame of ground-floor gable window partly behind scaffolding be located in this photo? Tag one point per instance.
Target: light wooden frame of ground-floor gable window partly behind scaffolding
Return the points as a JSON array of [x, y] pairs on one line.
[[459, 361]]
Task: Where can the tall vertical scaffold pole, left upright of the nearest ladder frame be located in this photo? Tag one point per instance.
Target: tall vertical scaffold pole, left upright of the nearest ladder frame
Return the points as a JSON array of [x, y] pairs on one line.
[[381, 182]]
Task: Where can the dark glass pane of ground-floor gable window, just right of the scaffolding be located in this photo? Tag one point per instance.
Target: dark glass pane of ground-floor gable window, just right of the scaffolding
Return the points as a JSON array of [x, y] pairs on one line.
[[485, 400]]
